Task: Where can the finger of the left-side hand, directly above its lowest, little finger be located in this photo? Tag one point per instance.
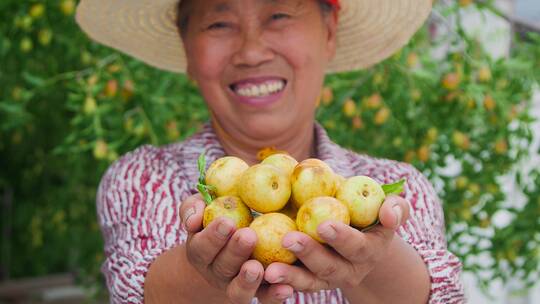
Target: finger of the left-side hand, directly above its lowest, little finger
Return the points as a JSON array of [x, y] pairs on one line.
[[243, 287]]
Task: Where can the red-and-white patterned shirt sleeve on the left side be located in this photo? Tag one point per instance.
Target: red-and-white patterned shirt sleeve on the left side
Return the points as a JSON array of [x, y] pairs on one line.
[[137, 208]]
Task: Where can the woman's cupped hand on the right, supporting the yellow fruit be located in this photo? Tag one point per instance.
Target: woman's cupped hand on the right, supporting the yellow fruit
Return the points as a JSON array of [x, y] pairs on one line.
[[353, 254]]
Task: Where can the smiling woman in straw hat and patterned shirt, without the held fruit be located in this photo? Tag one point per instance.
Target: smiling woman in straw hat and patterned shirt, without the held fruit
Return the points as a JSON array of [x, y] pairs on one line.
[[260, 66]]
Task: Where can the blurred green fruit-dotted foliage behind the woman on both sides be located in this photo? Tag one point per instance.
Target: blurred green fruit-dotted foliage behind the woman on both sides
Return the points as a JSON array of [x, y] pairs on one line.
[[69, 107]]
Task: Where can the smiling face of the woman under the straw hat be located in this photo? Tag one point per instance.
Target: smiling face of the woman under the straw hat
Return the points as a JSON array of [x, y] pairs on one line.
[[259, 64]]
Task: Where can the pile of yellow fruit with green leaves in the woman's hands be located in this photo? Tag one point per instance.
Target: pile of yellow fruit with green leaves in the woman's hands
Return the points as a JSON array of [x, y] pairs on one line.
[[280, 195]]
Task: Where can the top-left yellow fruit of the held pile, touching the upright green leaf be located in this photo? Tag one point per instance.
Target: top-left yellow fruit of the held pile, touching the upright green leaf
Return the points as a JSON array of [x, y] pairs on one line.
[[224, 175]]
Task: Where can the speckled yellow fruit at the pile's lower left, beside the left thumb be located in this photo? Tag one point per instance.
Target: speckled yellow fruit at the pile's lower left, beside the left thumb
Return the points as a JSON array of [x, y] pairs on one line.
[[230, 207]]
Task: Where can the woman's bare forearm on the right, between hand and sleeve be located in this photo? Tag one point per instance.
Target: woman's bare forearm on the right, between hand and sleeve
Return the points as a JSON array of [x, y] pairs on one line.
[[400, 277]]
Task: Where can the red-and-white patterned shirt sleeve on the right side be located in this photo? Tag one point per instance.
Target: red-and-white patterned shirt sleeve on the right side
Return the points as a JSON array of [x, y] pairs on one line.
[[425, 231]]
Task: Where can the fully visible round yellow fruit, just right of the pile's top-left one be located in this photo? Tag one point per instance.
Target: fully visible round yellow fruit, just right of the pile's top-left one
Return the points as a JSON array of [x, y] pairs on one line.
[[265, 188]]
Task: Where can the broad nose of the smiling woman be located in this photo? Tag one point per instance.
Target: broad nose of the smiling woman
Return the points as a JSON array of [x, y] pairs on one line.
[[252, 50]]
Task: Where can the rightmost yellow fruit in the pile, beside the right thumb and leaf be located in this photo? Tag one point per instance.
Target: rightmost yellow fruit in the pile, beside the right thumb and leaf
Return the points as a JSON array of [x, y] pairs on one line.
[[363, 196]]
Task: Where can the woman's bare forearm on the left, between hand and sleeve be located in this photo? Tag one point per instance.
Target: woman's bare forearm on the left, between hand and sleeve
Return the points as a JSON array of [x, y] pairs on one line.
[[172, 279]]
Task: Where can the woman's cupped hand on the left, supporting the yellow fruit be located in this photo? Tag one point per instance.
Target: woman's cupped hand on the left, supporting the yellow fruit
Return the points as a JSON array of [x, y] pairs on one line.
[[221, 254]]
